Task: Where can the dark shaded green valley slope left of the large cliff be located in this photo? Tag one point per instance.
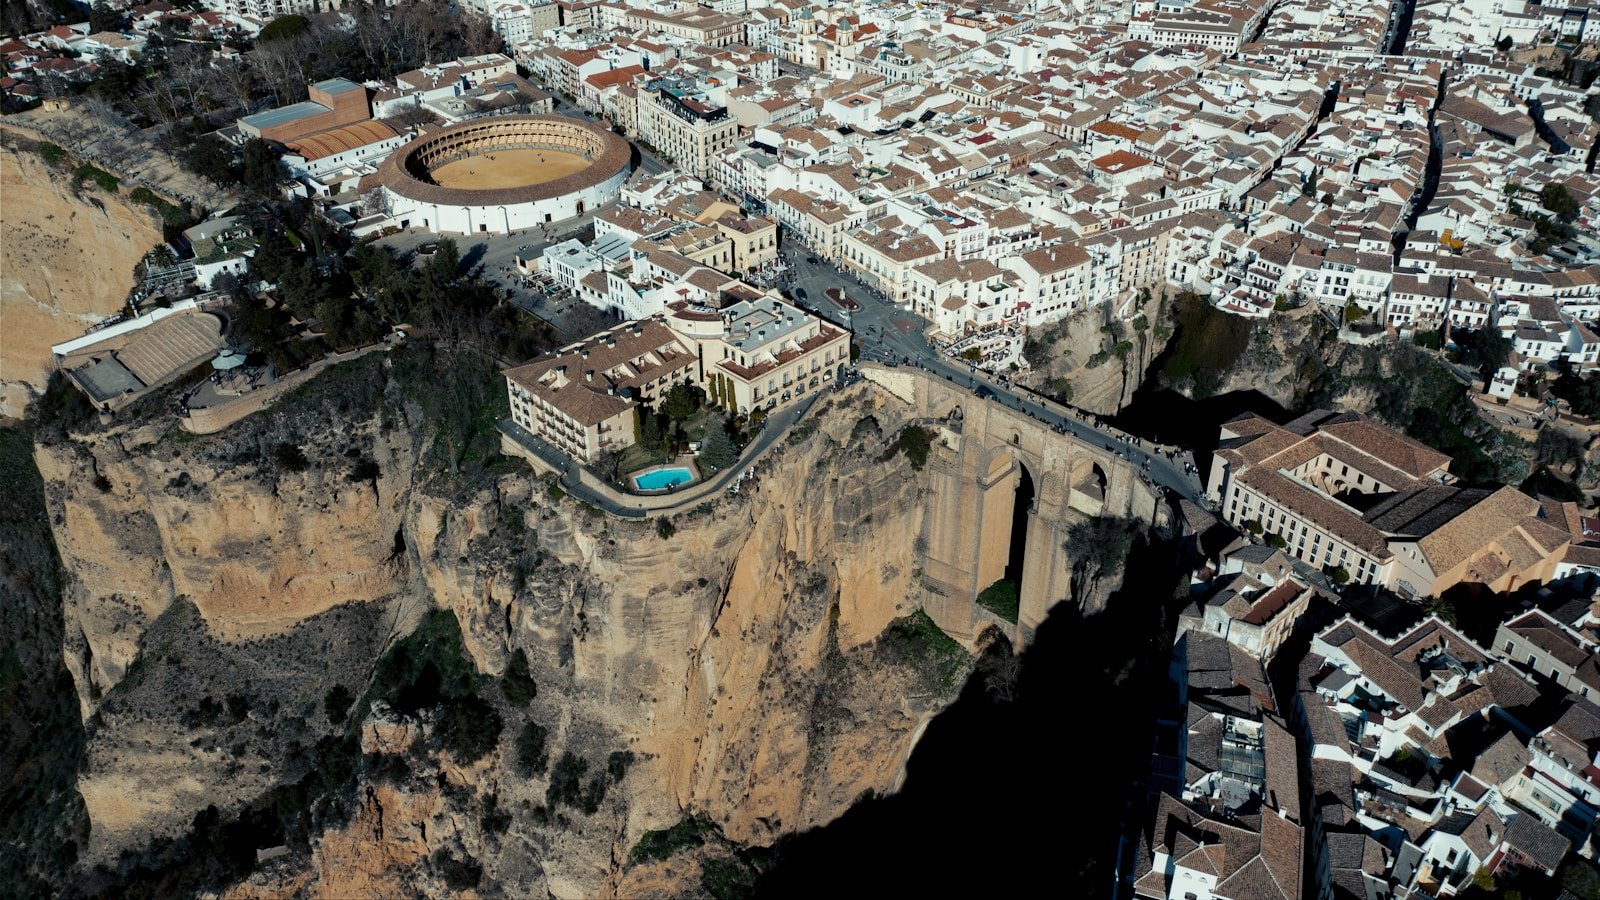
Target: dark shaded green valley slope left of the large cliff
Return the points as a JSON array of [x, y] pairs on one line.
[[41, 734]]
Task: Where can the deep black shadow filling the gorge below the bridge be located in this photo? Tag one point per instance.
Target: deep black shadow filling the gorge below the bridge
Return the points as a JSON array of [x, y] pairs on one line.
[[1004, 795]]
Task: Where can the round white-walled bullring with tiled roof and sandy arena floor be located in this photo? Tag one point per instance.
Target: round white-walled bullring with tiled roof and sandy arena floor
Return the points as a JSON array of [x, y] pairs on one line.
[[505, 174]]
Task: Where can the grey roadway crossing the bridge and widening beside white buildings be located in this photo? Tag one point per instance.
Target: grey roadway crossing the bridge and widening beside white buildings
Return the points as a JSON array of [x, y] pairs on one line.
[[892, 335]]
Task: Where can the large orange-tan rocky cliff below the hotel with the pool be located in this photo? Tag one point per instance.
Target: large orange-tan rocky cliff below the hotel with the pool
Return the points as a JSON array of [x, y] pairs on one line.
[[735, 669]]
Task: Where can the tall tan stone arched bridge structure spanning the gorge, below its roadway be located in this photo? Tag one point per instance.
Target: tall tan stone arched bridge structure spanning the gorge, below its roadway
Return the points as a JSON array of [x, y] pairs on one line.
[[983, 456]]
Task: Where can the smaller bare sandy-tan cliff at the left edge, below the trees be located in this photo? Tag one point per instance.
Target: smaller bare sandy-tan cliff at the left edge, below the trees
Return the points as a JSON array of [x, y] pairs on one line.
[[68, 263]]
